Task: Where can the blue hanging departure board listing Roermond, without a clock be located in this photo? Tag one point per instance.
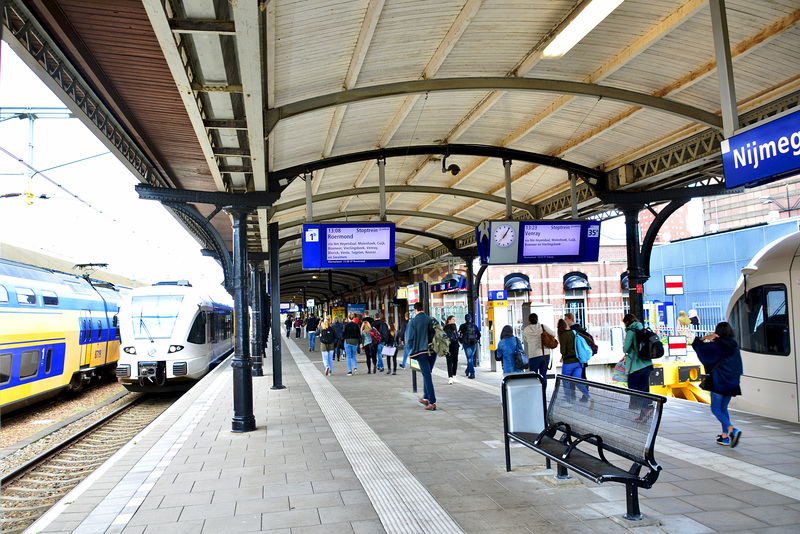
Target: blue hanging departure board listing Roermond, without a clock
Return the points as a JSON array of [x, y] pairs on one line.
[[348, 245]]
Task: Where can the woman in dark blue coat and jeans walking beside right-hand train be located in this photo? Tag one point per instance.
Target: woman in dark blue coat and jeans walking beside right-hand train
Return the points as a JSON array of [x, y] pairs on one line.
[[720, 356]]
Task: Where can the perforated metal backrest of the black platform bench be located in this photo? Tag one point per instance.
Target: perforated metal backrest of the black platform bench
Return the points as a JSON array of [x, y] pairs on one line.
[[615, 415]]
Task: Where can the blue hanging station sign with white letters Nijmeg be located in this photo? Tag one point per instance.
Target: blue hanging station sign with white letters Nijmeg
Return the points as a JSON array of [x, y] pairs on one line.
[[764, 153]]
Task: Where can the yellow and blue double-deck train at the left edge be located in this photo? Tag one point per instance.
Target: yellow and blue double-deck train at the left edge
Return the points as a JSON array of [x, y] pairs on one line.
[[58, 331]]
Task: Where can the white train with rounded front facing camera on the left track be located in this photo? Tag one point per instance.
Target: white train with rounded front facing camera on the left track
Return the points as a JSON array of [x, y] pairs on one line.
[[172, 334]]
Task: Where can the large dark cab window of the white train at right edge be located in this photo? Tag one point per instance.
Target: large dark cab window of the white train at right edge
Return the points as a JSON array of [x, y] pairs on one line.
[[762, 322]]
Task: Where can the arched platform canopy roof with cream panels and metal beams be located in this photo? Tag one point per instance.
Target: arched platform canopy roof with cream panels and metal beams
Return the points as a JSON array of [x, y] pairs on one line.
[[260, 96]]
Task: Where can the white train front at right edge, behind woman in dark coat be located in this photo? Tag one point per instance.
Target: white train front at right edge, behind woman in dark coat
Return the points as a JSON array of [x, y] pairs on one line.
[[766, 318]]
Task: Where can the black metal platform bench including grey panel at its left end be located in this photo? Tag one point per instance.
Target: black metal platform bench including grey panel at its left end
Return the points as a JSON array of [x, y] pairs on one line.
[[577, 432]]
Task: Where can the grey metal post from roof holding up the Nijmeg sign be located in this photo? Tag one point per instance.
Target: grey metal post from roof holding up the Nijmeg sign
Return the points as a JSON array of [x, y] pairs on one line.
[[722, 50]]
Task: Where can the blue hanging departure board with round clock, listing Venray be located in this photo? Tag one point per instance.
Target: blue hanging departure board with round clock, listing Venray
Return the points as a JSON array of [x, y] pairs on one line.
[[515, 242]]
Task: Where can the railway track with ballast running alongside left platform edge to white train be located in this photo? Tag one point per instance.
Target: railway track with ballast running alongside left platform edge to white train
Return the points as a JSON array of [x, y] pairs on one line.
[[31, 489]]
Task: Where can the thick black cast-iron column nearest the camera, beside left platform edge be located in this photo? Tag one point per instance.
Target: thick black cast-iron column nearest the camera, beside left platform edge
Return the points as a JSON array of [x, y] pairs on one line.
[[243, 418]]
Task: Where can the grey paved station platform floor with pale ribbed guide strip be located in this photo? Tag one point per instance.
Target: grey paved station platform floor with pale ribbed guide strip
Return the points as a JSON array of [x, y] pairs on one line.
[[359, 454]]
